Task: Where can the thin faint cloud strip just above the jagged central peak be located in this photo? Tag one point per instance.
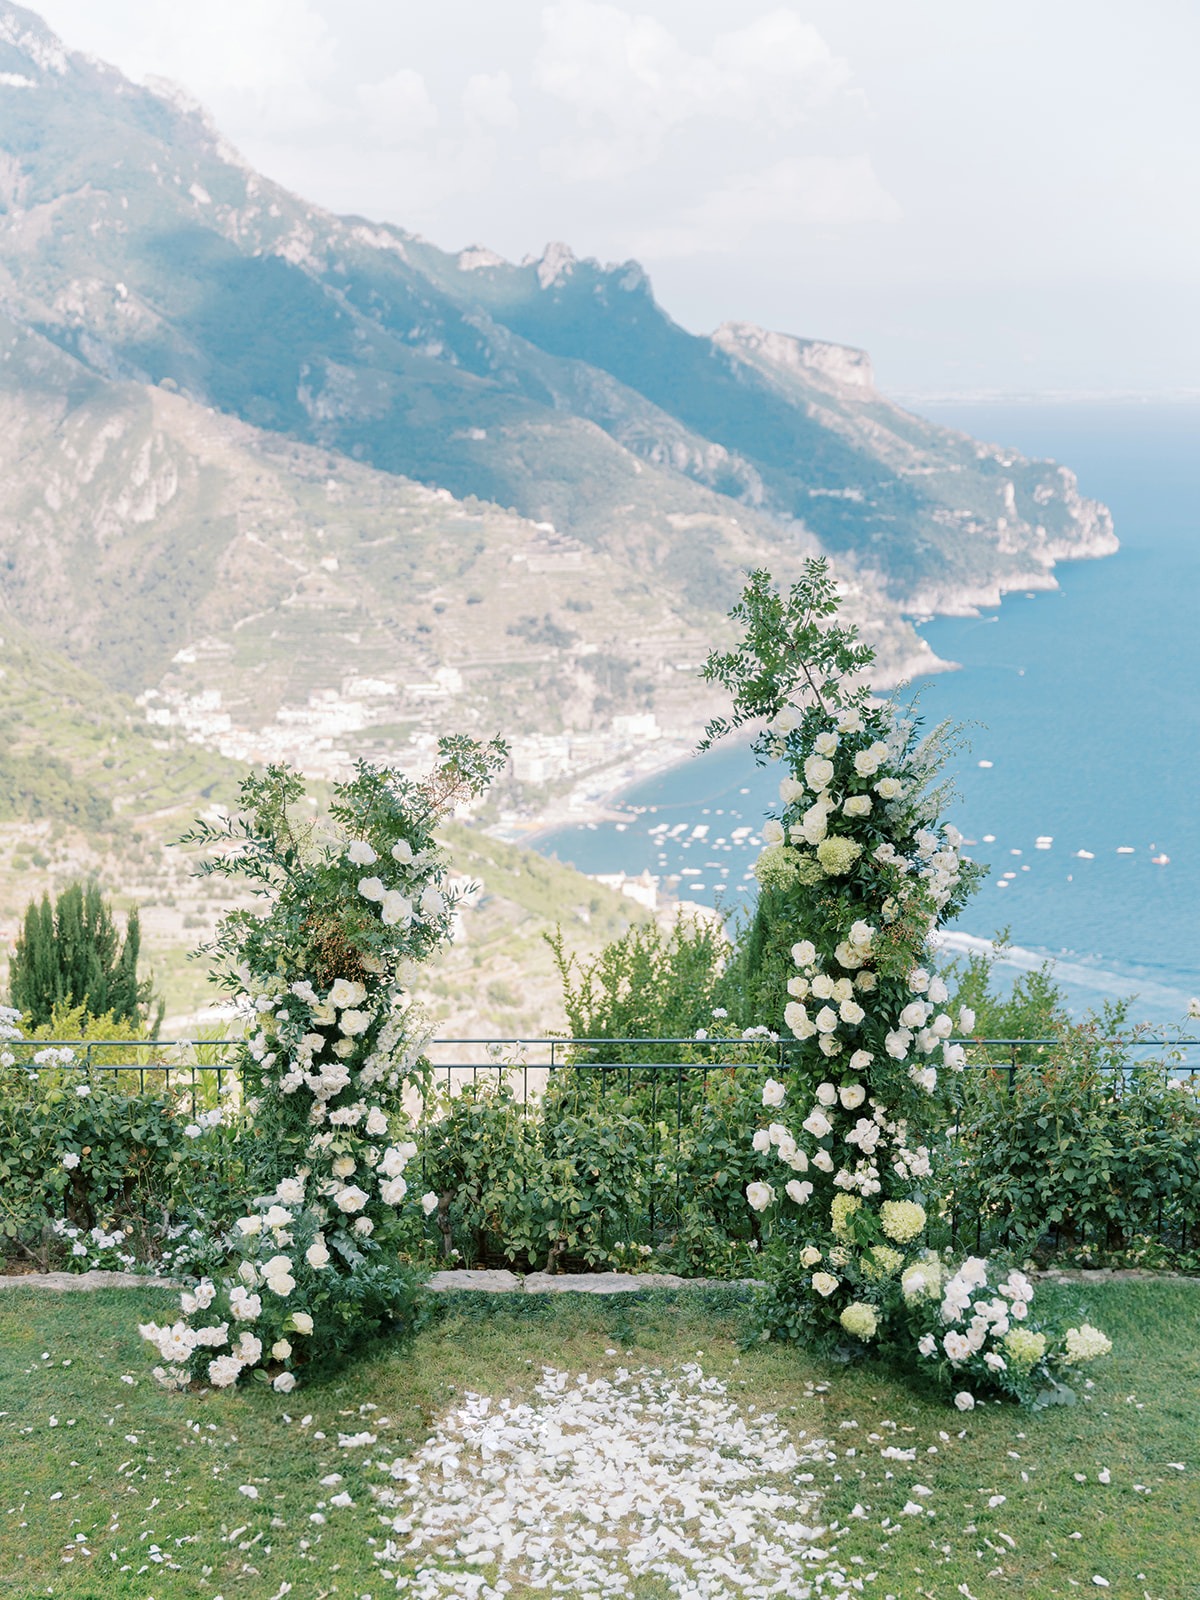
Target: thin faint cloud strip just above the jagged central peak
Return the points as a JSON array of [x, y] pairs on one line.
[[802, 191]]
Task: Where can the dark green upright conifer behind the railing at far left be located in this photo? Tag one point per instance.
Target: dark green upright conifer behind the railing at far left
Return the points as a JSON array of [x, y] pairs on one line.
[[73, 956]]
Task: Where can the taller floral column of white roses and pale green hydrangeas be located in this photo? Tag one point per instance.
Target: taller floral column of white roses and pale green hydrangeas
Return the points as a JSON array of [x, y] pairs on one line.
[[857, 876]]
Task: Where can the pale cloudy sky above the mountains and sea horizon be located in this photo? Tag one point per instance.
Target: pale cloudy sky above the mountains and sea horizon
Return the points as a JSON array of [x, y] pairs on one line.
[[990, 196]]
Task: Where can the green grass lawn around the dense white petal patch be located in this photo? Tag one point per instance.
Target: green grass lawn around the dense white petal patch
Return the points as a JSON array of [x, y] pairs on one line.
[[111, 1487]]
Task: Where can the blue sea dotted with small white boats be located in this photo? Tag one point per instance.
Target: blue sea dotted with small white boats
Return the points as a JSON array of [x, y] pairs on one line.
[[1082, 708]]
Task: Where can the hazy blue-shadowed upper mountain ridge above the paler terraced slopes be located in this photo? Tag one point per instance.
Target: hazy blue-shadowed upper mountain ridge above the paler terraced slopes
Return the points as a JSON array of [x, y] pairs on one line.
[[463, 370]]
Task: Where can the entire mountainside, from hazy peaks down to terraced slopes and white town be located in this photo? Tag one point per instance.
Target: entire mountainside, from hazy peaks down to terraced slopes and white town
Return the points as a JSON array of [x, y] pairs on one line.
[[287, 484]]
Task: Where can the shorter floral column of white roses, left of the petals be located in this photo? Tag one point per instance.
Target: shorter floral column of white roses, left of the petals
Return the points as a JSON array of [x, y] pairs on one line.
[[318, 1262]]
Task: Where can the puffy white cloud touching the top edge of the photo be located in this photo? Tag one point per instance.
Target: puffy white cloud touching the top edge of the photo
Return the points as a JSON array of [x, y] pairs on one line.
[[630, 81]]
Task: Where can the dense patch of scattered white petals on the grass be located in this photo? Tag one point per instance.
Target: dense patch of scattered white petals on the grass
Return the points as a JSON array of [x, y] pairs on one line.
[[599, 1482]]
